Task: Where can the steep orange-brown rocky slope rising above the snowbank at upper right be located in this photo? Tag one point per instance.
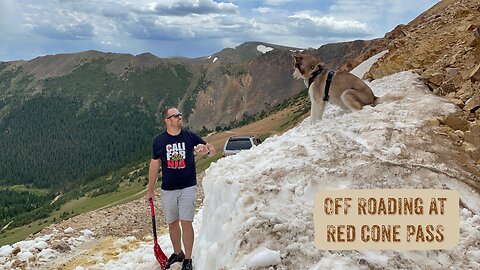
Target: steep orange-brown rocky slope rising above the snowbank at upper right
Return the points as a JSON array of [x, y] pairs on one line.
[[443, 46]]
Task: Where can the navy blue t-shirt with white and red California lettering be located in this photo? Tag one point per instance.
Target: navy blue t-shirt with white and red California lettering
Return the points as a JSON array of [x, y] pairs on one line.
[[177, 158]]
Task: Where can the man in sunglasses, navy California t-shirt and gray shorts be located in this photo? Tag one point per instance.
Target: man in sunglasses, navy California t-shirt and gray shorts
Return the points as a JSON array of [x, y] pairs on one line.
[[175, 149]]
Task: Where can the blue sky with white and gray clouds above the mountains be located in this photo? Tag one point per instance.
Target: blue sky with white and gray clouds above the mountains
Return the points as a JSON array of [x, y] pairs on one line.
[[190, 28]]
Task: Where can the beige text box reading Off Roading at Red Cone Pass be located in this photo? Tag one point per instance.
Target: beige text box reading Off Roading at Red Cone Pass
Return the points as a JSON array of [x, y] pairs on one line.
[[380, 219]]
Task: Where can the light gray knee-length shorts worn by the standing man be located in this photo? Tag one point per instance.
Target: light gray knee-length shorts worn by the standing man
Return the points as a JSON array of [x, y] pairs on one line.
[[179, 204]]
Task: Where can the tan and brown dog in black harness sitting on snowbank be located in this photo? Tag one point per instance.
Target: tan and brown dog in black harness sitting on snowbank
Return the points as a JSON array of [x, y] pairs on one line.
[[346, 90]]
